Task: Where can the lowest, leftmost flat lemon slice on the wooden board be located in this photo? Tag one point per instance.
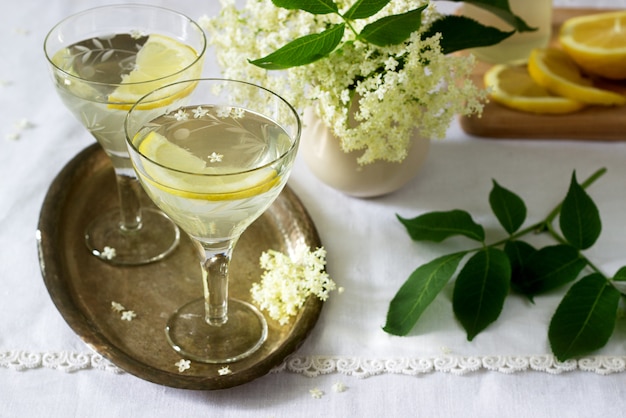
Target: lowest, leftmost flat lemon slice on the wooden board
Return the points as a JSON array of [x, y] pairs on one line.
[[513, 87]]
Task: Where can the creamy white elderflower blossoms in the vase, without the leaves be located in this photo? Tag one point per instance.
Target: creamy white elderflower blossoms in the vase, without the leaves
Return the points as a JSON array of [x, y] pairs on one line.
[[367, 109]]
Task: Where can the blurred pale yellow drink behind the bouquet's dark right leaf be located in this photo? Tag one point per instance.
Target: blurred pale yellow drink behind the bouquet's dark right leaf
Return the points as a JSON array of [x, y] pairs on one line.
[[515, 49]]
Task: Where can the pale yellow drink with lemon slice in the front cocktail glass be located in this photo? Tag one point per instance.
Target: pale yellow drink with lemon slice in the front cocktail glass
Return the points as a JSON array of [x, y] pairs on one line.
[[213, 170]]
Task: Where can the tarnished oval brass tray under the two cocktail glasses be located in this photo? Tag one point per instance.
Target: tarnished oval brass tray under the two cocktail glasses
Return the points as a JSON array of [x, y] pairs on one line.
[[83, 287]]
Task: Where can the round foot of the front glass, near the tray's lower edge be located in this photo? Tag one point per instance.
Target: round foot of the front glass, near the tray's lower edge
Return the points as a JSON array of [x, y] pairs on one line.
[[191, 336]]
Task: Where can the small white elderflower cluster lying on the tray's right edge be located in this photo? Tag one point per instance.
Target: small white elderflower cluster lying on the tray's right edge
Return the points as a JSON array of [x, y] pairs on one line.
[[287, 282]]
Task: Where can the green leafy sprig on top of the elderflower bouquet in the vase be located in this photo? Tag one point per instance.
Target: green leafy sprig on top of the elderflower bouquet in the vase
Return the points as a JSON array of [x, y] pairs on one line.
[[457, 32]]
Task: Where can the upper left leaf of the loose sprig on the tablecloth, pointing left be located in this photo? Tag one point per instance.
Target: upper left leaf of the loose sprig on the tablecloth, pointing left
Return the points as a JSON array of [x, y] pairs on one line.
[[437, 226]]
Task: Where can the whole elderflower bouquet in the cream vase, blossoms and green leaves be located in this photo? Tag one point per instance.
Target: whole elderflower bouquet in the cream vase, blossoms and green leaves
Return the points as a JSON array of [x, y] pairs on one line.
[[372, 70]]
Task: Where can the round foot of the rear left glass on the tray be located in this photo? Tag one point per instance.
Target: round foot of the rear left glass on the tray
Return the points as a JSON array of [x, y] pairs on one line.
[[157, 237]]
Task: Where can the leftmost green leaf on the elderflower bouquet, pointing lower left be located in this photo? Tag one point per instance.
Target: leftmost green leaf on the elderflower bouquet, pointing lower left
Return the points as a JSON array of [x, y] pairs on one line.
[[304, 50]]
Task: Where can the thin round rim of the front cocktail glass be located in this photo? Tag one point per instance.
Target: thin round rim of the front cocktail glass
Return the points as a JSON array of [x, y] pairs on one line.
[[292, 110]]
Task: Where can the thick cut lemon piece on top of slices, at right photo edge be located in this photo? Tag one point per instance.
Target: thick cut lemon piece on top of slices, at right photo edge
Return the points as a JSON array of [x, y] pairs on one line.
[[597, 43]]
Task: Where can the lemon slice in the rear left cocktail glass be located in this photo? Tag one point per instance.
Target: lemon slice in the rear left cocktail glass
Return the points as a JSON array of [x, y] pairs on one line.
[[160, 61]]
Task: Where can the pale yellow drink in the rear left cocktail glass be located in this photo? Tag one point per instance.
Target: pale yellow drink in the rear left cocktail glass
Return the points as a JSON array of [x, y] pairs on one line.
[[96, 94]]
